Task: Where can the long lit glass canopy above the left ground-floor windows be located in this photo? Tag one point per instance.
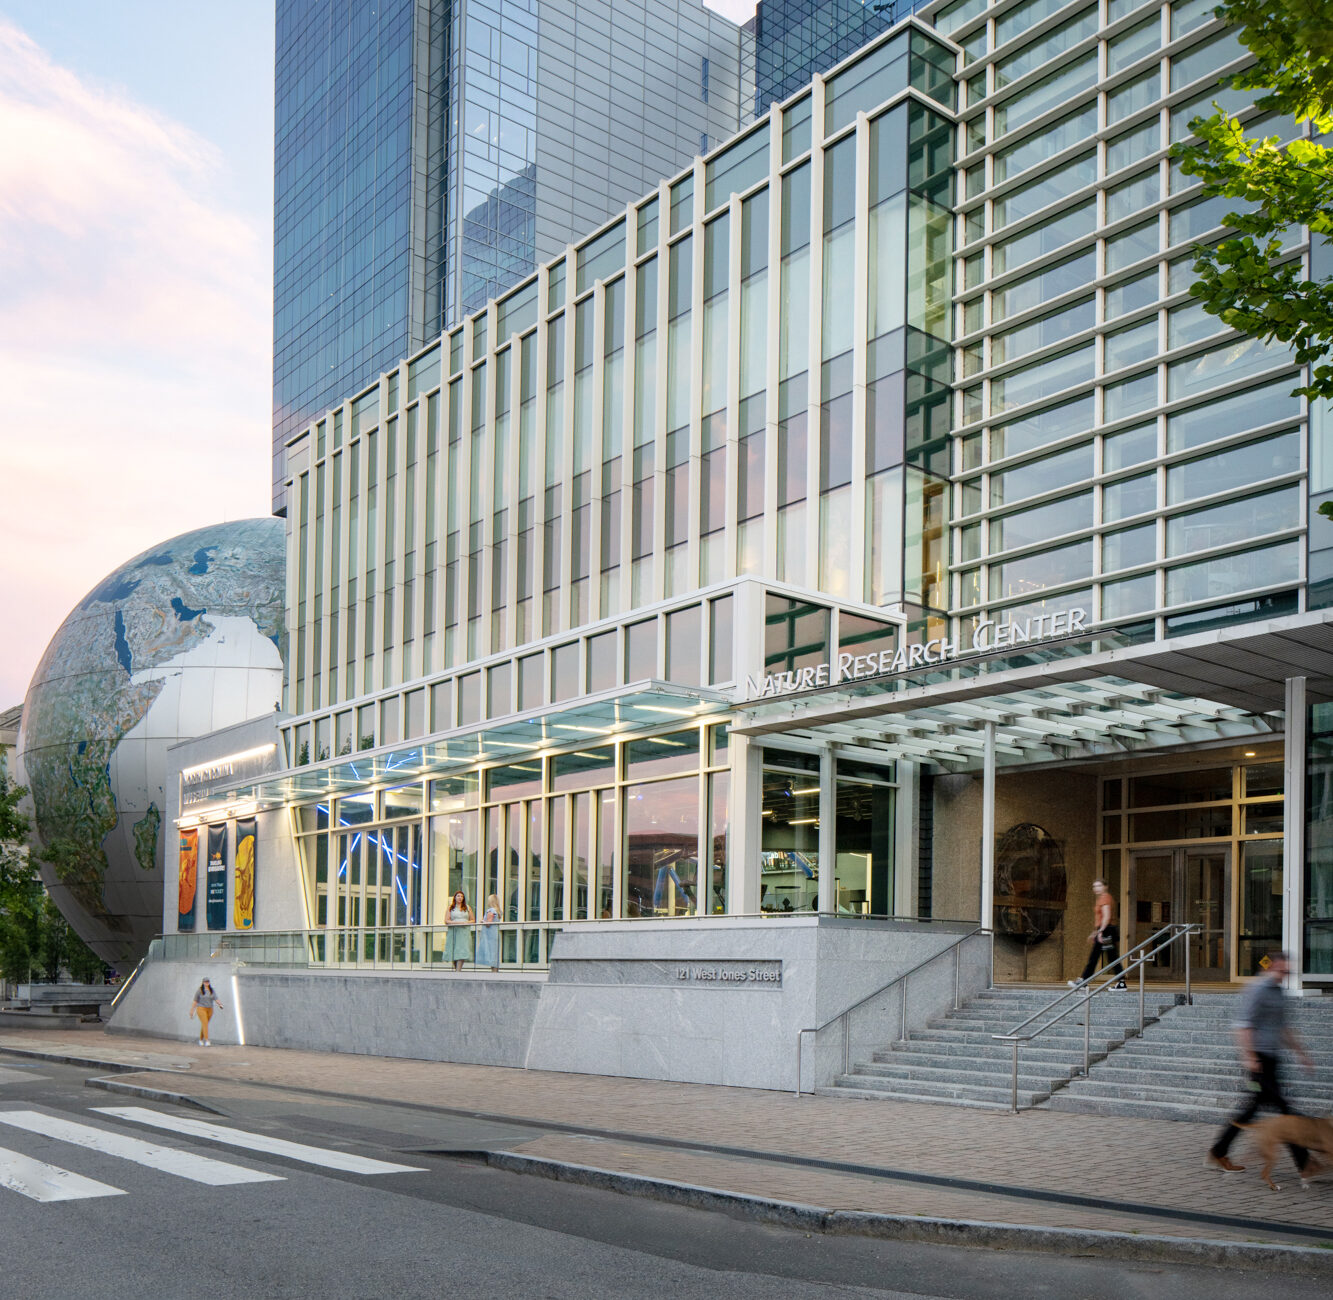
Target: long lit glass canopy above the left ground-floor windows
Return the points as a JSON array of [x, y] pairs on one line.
[[591, 721]]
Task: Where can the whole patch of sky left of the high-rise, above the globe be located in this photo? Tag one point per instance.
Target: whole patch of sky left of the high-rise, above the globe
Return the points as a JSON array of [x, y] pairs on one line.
[[137, 182]]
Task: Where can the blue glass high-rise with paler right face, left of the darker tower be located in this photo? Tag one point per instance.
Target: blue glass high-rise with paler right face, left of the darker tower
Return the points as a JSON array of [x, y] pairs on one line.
[[430, 153]]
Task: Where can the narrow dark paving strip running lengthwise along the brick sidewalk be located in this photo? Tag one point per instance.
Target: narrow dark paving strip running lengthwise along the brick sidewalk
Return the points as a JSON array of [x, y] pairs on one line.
[[944, 1182]]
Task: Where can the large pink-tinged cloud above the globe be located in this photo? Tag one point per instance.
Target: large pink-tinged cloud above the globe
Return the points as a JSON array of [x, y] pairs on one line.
[[135, 342]]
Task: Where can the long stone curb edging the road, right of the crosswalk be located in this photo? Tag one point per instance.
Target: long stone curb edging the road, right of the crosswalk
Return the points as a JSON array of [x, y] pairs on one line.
[[1288, 1261]]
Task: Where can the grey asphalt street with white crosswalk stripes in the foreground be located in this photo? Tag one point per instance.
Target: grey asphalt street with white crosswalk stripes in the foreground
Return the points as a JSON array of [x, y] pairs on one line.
[[167, 1223]]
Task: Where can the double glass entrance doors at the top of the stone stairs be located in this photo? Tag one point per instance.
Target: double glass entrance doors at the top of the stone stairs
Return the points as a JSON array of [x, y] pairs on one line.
[[1183, 885]]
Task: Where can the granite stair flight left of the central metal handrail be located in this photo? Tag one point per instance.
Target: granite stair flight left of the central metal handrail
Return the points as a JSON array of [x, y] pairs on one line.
[[956, 1062]]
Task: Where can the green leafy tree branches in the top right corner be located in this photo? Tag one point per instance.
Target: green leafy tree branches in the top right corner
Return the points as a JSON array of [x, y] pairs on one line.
[[1244, 281]]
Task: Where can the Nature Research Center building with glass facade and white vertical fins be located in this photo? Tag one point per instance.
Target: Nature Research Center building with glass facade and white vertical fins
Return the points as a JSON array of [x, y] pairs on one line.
[[860, 543]]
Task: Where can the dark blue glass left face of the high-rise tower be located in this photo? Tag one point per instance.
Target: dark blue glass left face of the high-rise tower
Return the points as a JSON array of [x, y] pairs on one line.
[[342, 202]]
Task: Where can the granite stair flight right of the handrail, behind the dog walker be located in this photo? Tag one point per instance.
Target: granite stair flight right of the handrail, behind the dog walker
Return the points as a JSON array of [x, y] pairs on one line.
[[1186, 1066]]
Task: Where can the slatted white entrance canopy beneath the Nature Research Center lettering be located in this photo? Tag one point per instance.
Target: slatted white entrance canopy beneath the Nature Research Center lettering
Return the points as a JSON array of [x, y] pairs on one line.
[[1070, 701]]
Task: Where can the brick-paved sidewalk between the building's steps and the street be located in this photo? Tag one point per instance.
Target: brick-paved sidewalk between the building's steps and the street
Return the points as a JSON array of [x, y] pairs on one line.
[[1038, 1169]]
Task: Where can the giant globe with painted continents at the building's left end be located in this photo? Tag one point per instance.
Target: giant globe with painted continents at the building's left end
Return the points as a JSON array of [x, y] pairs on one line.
[[183, 641]]
